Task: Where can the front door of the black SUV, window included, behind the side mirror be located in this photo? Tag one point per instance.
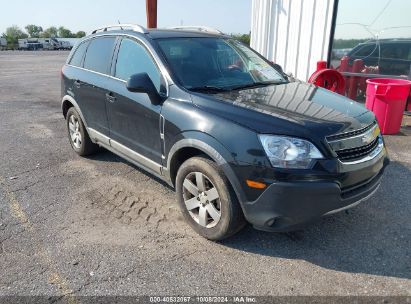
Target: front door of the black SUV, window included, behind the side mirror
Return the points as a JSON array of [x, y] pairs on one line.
[[133, 120]]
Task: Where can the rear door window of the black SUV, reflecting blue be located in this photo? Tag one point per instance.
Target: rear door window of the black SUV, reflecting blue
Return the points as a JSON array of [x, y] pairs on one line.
[[99, 55]]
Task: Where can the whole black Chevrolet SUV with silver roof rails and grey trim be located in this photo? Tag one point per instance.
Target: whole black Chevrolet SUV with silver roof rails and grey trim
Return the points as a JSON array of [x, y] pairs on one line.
[[238, 140]]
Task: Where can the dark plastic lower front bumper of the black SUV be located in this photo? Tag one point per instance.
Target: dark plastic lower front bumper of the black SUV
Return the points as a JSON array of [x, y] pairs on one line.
[[286, 206]]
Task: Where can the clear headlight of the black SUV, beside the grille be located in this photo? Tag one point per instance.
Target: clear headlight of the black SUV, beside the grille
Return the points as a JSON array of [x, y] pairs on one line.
[[289, 152]]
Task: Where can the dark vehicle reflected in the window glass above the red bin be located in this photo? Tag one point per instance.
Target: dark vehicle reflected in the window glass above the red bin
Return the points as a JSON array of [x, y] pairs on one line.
[[388, 56]]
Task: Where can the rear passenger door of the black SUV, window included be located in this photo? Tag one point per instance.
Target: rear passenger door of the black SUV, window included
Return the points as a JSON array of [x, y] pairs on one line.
[[94, 80]]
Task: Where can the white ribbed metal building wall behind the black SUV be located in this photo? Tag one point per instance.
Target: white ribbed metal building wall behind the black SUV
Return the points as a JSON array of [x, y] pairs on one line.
[[293, 33]]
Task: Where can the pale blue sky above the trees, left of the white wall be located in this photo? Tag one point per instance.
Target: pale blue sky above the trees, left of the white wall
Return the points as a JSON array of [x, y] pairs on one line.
[[230, 16]]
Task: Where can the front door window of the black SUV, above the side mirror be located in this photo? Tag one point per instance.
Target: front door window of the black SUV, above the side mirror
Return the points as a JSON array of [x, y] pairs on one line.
[[133, 58]]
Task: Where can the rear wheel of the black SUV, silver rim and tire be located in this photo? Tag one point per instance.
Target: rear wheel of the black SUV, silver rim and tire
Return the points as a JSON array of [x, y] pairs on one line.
[[79, 139]]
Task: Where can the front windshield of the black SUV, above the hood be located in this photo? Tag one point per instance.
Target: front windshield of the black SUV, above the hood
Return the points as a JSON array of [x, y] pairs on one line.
[[217, 63]]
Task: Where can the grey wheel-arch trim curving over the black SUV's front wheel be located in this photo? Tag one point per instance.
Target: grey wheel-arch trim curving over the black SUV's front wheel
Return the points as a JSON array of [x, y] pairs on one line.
[[214, 149]]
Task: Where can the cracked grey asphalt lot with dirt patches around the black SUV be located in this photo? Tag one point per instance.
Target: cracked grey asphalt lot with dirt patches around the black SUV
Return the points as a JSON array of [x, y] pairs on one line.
[[99, 226]]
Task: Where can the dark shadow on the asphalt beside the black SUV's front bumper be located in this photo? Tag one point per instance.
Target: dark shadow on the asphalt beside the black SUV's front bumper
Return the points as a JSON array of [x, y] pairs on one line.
[[372, 238]]
